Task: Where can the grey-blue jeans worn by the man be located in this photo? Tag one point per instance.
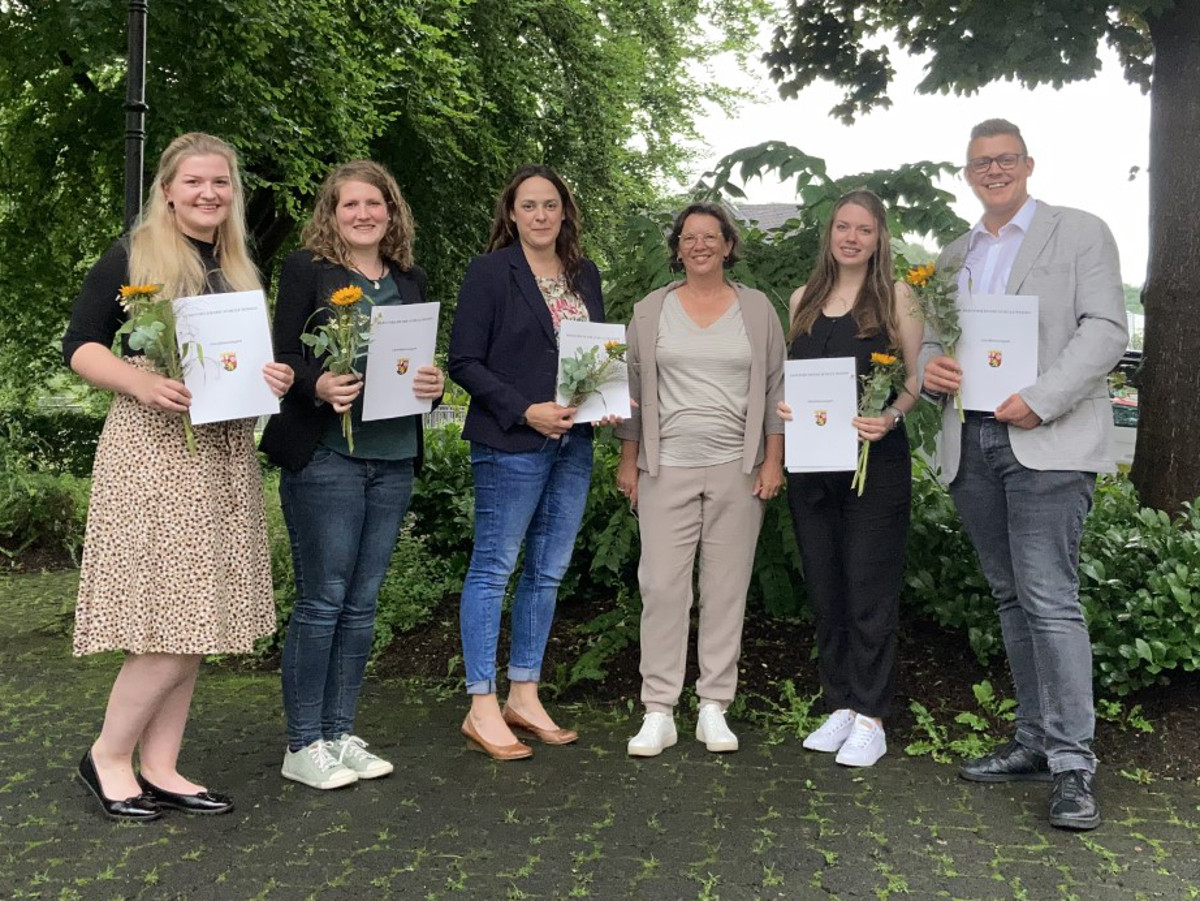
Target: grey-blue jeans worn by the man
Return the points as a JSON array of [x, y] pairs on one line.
[[1027, 526]]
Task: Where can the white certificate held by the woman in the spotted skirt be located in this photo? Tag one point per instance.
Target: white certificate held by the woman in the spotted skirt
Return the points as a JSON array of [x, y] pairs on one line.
[[226, 343]]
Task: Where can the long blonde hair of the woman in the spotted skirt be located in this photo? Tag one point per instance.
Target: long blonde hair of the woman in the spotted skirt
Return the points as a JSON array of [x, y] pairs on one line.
[[161, 255]]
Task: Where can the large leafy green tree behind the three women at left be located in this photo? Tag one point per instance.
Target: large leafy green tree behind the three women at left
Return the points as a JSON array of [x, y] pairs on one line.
[[451, 94]]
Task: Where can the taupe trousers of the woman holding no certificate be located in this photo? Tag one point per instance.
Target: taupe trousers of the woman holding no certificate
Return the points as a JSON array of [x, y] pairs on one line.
[[680, 510]]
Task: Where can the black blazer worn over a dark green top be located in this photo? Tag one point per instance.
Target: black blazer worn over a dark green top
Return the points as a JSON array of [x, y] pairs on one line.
[[305, 286]]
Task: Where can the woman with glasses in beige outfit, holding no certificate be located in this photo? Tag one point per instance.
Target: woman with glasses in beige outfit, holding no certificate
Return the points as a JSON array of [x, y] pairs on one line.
[[701, 455]]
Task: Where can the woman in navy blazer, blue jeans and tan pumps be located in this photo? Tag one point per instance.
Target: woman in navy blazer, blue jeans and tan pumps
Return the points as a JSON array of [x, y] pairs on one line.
[[532, 462]]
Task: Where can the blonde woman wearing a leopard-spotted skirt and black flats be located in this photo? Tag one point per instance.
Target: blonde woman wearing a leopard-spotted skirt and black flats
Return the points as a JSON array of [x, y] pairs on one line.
[[176, 563]]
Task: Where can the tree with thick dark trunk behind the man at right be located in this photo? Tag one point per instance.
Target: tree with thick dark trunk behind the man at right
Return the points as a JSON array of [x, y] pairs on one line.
[[1054, 43]]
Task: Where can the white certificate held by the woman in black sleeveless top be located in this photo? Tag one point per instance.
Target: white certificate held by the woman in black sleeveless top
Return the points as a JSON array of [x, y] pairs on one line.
[[824, 398]]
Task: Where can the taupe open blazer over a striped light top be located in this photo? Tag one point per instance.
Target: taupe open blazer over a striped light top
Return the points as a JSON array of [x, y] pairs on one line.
[[766, 335]]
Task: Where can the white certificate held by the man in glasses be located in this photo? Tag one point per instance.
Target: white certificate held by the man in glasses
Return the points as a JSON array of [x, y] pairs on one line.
[[999, 349]]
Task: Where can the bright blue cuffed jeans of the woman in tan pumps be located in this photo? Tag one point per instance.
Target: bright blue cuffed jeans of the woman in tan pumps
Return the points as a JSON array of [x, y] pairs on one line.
[[537, 497]]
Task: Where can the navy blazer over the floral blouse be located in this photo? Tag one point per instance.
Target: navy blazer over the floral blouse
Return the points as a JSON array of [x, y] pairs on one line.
[[503, 349]]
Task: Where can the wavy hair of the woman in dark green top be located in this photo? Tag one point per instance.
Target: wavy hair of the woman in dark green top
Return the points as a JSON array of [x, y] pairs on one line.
[[321, 235]]
